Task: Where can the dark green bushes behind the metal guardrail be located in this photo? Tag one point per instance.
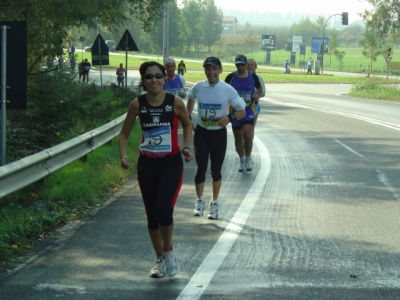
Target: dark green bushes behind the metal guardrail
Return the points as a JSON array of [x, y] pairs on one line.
[[59, 108]]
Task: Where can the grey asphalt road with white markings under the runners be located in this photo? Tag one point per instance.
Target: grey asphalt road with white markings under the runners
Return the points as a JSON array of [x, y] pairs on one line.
[[318, 218]]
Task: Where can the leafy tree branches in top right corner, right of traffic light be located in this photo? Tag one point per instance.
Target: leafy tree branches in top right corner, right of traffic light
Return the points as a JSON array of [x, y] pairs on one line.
[[384, 19]]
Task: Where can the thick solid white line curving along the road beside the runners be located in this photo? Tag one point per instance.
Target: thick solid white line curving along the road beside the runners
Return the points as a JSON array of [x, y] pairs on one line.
[[202, 278]]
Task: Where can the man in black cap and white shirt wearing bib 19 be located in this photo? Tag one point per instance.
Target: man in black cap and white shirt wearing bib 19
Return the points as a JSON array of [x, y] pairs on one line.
[[214, 97]]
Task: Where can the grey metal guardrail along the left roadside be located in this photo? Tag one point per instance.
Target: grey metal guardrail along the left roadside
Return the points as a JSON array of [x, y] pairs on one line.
[[18, 174]]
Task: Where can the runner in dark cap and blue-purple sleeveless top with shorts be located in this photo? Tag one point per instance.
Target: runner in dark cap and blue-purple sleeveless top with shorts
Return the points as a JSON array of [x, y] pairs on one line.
[[248, 87]]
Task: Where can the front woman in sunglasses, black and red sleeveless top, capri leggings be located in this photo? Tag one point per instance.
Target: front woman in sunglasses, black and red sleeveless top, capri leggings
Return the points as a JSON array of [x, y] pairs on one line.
[[160, 164]]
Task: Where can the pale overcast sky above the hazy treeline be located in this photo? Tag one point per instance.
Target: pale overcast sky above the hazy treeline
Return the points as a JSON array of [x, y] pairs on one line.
[[331, 6]]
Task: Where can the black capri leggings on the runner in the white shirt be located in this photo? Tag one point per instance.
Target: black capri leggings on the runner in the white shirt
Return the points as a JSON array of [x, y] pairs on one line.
[[209, 144]]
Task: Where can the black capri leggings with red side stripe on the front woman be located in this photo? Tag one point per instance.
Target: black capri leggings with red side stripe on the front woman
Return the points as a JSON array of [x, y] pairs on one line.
[[160, 180]]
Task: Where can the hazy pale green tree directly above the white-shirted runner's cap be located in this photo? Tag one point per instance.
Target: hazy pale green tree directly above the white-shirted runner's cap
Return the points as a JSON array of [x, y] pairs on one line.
[[211, 19]]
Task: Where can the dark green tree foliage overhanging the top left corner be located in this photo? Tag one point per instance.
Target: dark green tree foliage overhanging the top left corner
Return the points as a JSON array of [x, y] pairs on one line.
[[50, 21]]
